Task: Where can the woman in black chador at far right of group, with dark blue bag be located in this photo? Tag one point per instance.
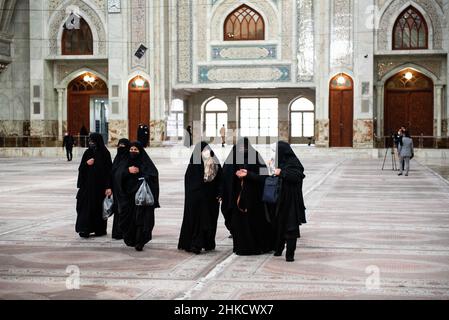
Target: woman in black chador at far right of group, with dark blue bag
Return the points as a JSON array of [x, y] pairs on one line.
[[289, 212]]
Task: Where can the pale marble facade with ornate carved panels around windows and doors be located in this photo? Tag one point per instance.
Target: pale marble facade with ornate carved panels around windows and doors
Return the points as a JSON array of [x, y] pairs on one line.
[[307, 42]]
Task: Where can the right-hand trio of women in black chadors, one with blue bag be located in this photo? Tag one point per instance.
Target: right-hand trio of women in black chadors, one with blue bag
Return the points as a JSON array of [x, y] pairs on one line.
[[255, 227]]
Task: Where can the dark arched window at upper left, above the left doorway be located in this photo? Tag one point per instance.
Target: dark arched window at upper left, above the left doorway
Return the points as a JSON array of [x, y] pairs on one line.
[[77, 39]]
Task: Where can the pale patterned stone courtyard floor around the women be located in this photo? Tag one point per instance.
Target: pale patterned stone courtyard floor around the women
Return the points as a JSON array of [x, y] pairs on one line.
[[371, 235]]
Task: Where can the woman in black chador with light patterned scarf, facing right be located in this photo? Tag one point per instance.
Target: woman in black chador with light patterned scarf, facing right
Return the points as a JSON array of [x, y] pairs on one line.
[[201, 207]]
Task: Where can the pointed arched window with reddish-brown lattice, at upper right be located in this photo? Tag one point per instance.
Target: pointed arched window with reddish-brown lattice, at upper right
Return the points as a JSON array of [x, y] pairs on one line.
[[410, 31]]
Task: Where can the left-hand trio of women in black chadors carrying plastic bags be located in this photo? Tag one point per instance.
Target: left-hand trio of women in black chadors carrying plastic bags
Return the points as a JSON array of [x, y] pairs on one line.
[[98, 177]]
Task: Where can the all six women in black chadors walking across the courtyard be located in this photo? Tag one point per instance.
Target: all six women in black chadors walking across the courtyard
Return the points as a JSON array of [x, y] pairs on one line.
[[256, 227]]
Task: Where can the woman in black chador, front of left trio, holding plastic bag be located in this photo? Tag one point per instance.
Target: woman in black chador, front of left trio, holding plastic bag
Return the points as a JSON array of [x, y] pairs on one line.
[[137, 222]]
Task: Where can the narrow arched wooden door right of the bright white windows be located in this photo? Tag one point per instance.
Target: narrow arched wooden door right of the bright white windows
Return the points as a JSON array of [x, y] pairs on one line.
[[341, 112]]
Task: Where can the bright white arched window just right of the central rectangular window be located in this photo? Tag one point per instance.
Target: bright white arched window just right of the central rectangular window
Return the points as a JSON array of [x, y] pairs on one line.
[[302, 118]]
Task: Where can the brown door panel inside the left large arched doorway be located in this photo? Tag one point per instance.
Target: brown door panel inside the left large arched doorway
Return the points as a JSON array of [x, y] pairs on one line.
[[78, 110]]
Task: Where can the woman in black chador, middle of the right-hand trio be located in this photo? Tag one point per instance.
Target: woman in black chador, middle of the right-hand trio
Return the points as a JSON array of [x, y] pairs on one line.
[[244, 173]]
